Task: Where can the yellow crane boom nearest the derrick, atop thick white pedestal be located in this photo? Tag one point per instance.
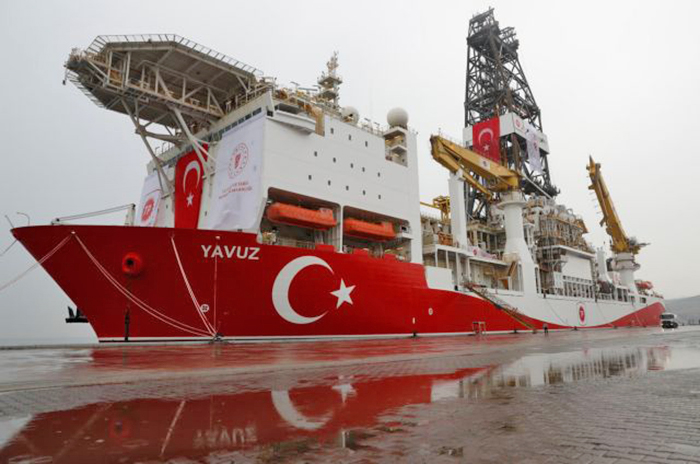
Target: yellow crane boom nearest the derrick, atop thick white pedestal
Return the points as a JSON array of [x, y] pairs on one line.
[[495, 177]]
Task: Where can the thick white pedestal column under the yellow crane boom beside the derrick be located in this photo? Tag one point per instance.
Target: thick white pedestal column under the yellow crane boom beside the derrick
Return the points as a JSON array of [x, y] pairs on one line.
[[516, 247]]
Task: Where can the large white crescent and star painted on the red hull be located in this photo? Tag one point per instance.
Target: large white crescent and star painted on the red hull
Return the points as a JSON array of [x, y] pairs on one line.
[[280, 290]]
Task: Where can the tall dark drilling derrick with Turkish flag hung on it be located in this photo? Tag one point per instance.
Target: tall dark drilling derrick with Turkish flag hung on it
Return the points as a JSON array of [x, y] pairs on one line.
[[496, 88]]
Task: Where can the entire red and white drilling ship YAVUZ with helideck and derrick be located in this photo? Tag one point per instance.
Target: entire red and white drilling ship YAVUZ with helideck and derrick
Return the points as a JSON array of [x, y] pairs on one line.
[[275, 212]]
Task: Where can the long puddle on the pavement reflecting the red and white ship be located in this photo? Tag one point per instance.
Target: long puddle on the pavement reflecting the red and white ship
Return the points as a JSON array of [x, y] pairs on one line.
[[291, 422]]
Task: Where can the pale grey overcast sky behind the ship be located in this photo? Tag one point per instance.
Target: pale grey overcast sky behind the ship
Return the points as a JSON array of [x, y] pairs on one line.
[[617, 80]]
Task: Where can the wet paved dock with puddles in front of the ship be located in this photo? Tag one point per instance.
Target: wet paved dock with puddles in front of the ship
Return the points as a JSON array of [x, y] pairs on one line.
[[624, 395]]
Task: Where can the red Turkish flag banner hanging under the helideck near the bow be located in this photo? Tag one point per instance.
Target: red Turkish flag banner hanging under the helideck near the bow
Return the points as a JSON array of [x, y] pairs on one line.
[[188, 190]]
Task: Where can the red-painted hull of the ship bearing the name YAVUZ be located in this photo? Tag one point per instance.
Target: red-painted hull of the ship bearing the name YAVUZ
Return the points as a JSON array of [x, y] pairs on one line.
[[184, 284]]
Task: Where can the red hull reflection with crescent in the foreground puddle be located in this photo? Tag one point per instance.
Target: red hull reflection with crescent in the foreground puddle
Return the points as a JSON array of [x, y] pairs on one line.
[[145, 429]]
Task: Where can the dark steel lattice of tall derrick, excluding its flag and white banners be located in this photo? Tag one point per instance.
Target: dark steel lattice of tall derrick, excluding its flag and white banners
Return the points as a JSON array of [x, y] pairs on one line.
[[495, 86]]
